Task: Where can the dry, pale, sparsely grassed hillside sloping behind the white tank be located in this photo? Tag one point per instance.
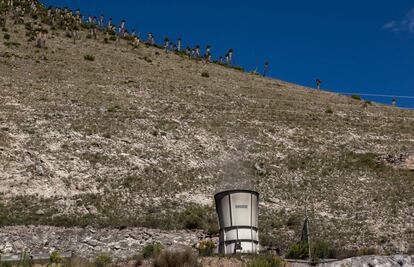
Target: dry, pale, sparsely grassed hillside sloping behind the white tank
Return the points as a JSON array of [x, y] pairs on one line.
[[139, 138]]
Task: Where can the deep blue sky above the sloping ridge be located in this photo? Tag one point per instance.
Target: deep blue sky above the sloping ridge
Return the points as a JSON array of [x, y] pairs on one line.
[[351, 45]]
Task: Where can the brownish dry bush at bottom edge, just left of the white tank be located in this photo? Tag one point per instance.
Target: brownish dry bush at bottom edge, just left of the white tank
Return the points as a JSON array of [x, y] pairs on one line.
[[170, 258]]
